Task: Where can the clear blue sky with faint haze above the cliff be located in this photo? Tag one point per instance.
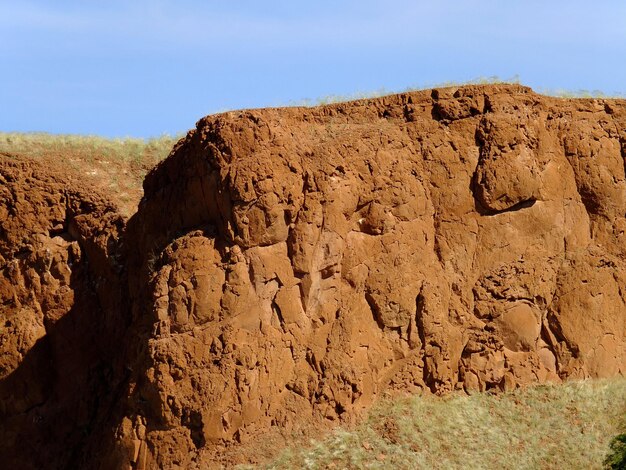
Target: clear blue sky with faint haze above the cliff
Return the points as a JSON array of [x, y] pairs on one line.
[[144, 68]]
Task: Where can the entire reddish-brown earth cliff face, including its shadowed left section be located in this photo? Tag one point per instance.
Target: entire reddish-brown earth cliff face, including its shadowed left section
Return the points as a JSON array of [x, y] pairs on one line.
[[287, 267]]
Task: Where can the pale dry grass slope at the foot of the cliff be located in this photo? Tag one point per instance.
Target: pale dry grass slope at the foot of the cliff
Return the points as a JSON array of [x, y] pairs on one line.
[[566, 426]]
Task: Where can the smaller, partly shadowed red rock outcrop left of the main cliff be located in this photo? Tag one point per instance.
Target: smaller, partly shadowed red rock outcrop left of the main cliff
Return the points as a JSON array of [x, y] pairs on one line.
[[61, 307]]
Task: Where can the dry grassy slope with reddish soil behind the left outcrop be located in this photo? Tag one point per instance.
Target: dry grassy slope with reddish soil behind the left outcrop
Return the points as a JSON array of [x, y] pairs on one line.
[[115, 166]]
